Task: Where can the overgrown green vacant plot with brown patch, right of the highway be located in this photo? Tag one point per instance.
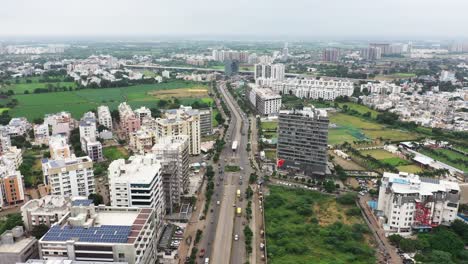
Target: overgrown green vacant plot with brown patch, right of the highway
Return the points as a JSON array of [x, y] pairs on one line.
[[305, 227]]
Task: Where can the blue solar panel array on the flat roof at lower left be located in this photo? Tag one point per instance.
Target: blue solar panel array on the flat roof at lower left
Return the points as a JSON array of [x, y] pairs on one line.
[[102, 234]]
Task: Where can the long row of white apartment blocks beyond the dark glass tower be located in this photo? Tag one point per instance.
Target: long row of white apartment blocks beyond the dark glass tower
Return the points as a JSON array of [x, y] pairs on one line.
[[314, 89]]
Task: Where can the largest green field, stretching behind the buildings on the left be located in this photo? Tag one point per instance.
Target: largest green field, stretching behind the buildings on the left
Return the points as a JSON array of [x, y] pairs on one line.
[[78, 102]]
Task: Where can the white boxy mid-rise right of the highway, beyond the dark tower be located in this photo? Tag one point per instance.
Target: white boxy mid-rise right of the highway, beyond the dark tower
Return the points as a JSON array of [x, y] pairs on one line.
[[264, 100]]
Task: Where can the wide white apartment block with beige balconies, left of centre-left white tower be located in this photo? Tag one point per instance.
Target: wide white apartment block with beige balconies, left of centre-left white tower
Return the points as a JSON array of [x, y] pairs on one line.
[[73, 176]]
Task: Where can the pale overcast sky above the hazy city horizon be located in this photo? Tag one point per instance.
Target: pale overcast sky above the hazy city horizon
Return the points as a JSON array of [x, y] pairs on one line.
[[305, 18]]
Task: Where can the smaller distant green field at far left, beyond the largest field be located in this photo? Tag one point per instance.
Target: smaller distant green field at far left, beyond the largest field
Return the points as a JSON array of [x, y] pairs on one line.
[[33, 83]]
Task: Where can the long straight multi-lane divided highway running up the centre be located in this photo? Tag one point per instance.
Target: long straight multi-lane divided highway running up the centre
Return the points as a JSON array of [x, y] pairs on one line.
[[222, 223]]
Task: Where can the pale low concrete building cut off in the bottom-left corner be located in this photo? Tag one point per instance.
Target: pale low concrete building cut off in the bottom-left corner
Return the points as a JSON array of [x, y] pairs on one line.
[[16, 247]]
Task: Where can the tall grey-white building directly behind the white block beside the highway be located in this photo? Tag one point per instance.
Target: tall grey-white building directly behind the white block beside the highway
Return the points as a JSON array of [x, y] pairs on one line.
[[174, 150]]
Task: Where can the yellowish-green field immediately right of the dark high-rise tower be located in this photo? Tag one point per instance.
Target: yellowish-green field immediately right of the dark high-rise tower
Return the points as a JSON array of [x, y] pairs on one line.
[[350, 128]]
